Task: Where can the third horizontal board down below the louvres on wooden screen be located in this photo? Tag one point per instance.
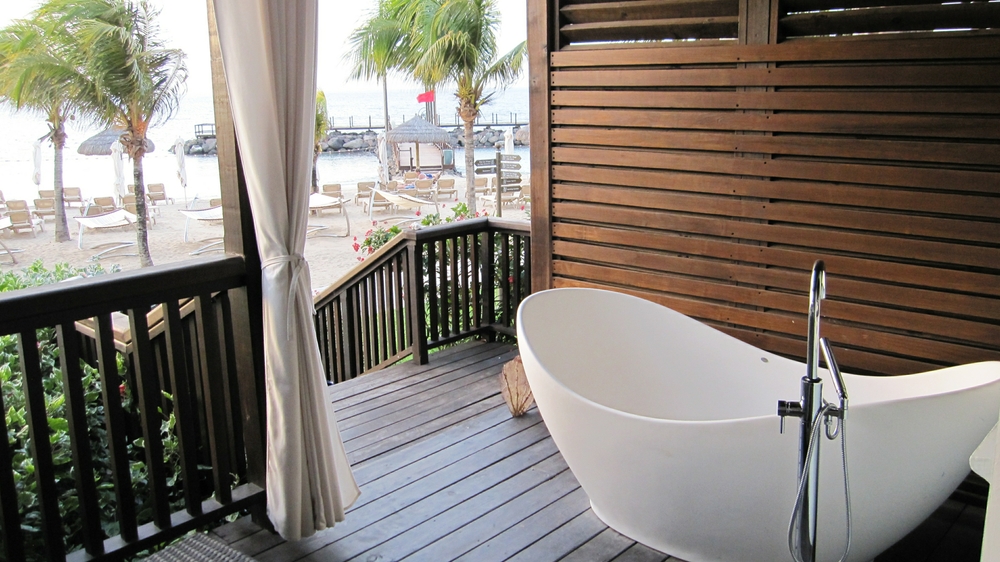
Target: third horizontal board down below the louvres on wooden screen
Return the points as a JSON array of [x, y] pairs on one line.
[[851, 101]]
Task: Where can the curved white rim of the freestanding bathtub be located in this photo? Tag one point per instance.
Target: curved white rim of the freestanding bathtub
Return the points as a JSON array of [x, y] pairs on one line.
[[524, 341]]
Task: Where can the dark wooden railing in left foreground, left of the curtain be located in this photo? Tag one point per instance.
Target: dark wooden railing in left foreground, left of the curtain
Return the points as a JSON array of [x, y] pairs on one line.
[[155, 450]]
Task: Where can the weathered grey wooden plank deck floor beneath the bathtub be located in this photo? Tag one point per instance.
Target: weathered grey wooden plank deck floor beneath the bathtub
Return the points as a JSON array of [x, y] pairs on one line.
[[447, 474]]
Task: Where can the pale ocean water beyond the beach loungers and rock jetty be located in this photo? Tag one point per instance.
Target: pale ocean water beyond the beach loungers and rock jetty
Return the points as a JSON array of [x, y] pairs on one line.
[[95, 174]]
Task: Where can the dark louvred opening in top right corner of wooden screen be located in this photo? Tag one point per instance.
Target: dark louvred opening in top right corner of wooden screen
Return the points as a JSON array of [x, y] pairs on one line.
[[978, 15]]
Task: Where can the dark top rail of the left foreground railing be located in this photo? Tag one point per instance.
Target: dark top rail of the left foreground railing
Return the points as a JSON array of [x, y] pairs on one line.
[[83, 298]]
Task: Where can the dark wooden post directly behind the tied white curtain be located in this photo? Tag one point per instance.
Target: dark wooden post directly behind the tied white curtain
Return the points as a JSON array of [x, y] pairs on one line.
[[240, 238]]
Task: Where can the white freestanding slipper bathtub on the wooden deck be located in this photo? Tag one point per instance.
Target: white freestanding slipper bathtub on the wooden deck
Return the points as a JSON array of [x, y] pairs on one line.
[[671, 428]]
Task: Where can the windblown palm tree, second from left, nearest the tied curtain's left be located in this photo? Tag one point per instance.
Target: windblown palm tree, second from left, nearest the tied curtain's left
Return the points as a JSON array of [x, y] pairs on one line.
[[137, 80]]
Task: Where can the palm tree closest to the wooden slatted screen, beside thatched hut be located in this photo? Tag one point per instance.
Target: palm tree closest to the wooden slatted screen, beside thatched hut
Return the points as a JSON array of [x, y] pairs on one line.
[[459, 43]]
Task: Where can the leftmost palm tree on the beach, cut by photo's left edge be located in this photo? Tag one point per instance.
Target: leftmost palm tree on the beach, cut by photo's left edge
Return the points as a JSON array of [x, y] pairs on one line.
[[38, 74]]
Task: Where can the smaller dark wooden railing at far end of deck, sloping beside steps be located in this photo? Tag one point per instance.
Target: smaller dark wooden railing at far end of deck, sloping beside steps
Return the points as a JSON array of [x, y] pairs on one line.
[[422, 290]]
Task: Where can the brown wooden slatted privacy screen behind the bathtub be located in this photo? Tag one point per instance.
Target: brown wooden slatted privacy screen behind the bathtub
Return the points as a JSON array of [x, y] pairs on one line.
[[708, 176]]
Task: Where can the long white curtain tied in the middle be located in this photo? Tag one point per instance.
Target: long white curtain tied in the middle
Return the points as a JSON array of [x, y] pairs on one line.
[[269, 55]]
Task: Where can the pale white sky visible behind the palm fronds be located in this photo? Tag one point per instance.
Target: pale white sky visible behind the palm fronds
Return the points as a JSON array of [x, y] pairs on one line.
[[184, 25]]
